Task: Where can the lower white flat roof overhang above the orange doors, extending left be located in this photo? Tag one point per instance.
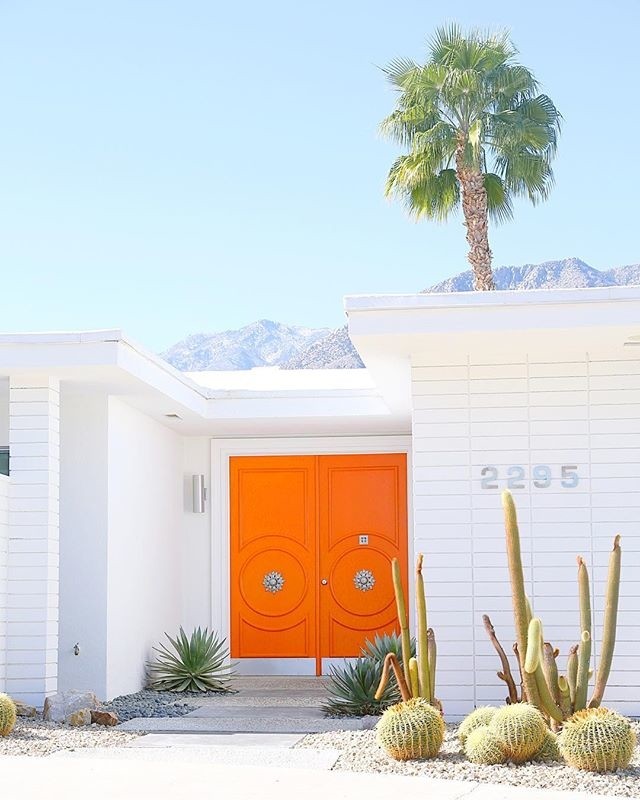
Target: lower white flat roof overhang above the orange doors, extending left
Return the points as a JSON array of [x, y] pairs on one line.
[[308, 402]]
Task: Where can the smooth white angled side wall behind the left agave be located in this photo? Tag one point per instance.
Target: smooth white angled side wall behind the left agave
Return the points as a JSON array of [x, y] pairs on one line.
[[146, 542]]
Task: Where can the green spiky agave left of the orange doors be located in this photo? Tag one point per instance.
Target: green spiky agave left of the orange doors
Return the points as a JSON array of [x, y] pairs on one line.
[[196, 663]]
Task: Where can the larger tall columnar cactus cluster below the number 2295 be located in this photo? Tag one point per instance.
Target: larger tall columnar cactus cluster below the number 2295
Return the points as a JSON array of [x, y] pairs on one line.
[[557, 696]]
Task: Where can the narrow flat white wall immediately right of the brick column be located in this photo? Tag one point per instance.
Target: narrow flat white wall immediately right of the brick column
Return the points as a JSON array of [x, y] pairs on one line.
[[83, 541]]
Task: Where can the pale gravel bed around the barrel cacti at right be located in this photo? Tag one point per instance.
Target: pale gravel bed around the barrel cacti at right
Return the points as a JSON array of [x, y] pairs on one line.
[[361, 753]]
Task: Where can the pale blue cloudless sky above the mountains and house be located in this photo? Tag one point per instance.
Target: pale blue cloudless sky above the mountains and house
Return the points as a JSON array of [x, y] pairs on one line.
[[174, 166]]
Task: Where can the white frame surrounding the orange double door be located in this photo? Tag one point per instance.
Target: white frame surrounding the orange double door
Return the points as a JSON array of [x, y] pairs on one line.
[[223, 449]]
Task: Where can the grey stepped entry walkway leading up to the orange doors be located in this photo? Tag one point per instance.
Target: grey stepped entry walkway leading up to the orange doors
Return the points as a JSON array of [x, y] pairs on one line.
[[265, 704]]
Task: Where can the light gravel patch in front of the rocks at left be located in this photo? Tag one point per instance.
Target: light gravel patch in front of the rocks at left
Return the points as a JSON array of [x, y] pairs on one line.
[[33, 737]]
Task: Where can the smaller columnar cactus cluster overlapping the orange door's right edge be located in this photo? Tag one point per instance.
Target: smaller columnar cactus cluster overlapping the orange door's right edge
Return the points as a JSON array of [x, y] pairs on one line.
[[418, 675]]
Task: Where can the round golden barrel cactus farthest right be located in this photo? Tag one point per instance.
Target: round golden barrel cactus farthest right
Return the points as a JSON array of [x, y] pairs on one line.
[[597, 740]]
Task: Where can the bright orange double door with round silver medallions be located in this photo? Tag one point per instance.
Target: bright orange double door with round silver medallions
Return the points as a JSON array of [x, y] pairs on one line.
[[312, 538]]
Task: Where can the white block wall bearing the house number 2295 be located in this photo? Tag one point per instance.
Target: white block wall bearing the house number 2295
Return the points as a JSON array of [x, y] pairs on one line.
[[583, 413]]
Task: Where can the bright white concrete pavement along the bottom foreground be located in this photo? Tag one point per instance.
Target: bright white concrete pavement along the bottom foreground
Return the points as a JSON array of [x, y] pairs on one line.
[[118, 778]]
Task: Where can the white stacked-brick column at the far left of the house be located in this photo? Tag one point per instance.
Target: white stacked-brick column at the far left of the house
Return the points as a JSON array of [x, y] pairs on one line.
[[32, 613]]
